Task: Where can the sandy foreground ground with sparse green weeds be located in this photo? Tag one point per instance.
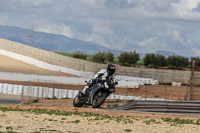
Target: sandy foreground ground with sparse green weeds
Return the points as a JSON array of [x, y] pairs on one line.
[[83, 120]]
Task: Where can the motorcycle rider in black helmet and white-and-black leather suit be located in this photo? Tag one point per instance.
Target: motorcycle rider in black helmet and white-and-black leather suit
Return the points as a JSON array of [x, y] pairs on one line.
[[106, 75]]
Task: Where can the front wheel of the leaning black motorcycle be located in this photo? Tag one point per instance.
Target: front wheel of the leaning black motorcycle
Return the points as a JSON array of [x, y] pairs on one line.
[[99, 99]]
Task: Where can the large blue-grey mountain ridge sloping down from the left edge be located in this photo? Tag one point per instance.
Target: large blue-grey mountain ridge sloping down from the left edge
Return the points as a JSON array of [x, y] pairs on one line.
[[51, 42]]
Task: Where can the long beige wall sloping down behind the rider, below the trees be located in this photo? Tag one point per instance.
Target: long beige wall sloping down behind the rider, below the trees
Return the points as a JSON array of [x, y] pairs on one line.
[[81, 65]]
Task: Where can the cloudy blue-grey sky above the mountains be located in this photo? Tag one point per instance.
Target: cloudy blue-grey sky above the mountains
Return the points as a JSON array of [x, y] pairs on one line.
[[141, 25]]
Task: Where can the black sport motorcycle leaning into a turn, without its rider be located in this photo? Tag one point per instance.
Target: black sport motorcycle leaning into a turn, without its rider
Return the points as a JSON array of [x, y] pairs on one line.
[[96, 94]]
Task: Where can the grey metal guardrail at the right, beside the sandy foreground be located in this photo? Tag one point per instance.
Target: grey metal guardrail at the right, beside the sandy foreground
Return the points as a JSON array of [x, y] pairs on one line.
[[161, 106]]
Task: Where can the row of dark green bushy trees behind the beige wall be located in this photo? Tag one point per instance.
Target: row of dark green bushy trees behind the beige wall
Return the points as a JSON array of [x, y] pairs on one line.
[[132, 59]]
